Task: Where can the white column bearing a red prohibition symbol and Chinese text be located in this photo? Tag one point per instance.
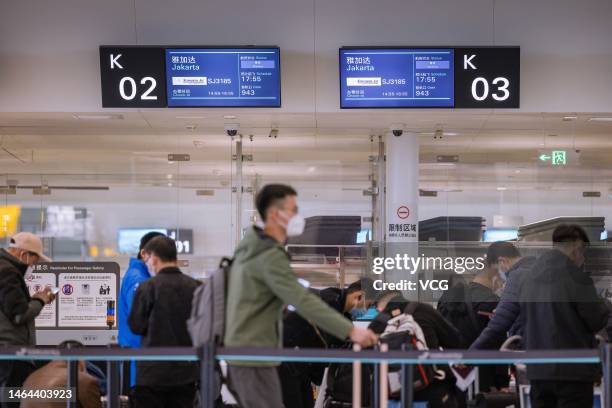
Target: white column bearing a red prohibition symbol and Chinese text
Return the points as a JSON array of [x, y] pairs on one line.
[[402, 198]]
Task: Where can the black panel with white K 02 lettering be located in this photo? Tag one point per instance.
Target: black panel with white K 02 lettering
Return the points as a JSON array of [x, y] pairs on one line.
[[133, 77]]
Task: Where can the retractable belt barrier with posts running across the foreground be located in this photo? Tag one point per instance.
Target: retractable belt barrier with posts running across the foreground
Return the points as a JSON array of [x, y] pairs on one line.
[[208, 355]]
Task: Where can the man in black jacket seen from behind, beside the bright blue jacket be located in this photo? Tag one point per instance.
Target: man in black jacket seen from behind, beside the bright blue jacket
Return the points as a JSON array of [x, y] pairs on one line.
[[159, 314]]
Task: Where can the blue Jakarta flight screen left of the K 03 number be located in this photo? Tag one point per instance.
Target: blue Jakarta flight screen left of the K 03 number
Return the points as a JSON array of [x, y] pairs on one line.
[[396, 78]]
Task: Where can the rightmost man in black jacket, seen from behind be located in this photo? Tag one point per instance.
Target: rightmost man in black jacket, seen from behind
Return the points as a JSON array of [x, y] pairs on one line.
[[561, 310]]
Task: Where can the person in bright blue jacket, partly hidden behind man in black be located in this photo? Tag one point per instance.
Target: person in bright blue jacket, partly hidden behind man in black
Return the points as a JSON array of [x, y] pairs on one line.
[[136, 274]]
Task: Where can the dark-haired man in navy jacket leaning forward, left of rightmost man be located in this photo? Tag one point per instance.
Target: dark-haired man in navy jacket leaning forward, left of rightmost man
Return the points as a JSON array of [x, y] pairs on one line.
[[505, 321]]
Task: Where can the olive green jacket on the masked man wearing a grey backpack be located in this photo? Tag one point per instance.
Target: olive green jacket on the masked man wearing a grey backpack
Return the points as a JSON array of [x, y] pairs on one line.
[[261, 282]]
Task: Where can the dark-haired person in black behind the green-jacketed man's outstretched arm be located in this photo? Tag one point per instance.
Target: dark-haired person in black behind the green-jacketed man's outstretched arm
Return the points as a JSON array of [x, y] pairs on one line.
[[297, 378]]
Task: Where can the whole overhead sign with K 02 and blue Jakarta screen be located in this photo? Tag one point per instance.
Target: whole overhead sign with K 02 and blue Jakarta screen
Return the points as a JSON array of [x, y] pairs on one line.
[[158, 77]]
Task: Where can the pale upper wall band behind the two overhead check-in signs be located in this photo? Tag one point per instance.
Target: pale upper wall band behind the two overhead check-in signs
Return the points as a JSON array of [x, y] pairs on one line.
[[49, 49]]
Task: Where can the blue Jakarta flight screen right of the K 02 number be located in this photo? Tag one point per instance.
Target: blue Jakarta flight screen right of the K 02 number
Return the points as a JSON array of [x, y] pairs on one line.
[[223, 77]]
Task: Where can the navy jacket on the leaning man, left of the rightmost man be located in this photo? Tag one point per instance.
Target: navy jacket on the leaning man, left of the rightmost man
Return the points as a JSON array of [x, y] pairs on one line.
[[505, 319]]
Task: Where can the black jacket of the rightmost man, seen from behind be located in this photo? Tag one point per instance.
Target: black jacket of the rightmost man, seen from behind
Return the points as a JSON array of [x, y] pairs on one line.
[[560, 310]]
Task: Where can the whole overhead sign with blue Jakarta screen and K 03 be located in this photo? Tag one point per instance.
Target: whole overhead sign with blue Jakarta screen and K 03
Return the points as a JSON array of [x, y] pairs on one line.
[[429, 77]]
